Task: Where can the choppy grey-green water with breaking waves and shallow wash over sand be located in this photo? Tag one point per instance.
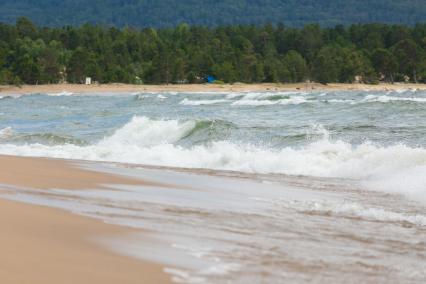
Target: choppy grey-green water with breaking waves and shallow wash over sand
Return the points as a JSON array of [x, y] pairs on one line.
[[278, 187]]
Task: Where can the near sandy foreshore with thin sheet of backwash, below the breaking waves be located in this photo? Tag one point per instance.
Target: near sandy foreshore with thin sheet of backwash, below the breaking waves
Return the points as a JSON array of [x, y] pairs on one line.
[[219, 227]]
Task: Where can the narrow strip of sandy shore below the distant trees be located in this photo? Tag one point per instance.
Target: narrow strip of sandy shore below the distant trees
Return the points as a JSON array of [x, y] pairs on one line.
[[125, 88]]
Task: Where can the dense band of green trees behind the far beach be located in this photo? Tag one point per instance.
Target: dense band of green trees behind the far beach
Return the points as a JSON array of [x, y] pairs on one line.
[[188, 54]]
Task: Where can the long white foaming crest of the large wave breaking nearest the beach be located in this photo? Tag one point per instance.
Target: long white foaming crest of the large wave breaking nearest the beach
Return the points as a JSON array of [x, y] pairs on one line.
[[396, 168]]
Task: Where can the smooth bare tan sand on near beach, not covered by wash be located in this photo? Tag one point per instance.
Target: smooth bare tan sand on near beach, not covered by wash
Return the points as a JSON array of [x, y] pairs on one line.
[[41, 245]]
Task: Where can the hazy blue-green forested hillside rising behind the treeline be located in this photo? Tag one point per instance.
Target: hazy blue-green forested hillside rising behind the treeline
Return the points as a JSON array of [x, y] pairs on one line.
[[164, 13]]
